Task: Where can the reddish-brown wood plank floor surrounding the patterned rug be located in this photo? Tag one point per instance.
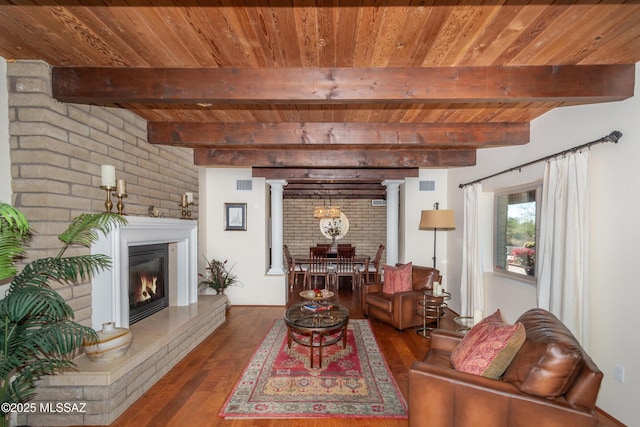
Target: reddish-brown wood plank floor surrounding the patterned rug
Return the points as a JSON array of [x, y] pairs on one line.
[[195, 390]]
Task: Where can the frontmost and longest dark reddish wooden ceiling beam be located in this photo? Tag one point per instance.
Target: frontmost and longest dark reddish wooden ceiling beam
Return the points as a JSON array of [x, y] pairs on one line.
[[575, 83]]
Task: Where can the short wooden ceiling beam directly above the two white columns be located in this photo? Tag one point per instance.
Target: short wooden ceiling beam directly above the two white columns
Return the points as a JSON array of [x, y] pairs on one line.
[[334, 175]]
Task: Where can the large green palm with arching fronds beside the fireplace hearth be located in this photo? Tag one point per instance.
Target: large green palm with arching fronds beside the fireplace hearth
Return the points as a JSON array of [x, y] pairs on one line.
[[37, 331]]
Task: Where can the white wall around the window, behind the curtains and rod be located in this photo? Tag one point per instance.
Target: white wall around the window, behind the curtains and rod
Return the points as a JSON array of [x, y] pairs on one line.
[[614, 175]]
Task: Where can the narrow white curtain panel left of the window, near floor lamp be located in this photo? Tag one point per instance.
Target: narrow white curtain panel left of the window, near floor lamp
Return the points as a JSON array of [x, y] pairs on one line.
[[471, 284]]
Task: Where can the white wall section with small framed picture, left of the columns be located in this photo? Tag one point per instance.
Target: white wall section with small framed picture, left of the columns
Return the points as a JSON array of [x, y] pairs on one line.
[[244, 249]]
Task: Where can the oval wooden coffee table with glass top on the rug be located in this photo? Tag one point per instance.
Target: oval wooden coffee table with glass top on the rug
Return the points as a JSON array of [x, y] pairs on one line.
[[311, 329]]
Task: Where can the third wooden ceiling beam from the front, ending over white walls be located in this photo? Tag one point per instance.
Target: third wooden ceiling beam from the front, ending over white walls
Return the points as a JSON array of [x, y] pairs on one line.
[[336, 158]]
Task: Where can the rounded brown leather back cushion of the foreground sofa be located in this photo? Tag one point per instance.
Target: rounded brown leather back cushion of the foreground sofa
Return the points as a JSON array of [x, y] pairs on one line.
[[549, 360]]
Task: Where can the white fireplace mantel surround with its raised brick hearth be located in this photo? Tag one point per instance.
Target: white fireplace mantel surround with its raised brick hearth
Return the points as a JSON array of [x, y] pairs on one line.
[[105, 390]]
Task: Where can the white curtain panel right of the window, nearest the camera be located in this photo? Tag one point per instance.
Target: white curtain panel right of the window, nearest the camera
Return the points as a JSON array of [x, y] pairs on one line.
[[563, 249]]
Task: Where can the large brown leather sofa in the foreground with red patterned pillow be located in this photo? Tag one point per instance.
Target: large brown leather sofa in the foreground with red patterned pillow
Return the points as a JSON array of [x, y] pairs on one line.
[[441, 396]]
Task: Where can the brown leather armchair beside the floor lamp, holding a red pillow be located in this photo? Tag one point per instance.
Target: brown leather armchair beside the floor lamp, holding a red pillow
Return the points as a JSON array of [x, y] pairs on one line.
[[399, 309]]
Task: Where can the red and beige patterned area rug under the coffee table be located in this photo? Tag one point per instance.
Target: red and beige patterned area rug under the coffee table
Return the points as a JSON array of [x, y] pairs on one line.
[[352, 382]]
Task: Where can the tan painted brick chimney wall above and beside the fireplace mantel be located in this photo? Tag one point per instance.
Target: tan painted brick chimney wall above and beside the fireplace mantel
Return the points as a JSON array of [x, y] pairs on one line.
[[57, 150]]
